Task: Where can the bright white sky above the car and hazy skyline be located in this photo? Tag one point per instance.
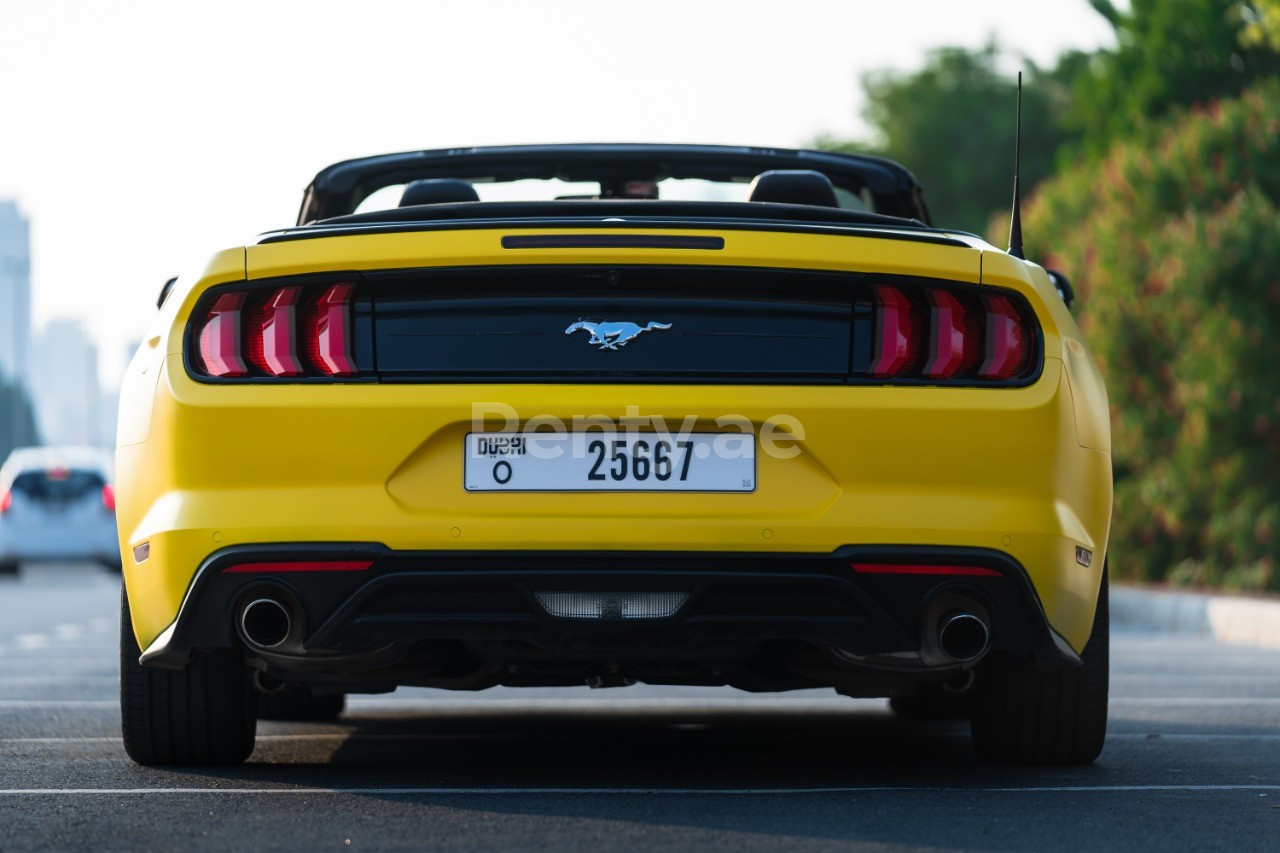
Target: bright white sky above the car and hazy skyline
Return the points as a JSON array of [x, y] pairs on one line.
[[140, 138]]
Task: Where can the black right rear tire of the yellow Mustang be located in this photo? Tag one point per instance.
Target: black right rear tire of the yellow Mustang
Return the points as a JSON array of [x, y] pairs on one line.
[[1058, 718]]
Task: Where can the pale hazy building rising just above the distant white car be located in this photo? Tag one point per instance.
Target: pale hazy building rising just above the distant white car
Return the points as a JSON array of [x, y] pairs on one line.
[[65, 382]]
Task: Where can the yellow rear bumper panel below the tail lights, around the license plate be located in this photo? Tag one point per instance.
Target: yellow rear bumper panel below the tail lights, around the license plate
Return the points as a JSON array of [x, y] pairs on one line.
[[950, 468]]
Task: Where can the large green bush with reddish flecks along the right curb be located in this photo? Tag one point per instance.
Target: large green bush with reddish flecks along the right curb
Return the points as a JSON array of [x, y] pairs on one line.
[[1173, 241]]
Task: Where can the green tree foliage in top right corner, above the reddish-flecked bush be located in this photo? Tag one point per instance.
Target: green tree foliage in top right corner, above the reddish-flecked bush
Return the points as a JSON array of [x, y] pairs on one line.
[[1171, 53]]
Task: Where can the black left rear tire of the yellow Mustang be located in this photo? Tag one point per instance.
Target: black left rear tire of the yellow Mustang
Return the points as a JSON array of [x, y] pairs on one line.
[[202, 715]]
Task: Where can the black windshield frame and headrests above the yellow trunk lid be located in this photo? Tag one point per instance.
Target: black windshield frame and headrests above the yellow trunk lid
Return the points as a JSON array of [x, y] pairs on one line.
[[339, 190]]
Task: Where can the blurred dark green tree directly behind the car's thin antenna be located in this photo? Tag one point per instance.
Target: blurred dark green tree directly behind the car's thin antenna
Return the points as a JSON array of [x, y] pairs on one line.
[[953, 125]]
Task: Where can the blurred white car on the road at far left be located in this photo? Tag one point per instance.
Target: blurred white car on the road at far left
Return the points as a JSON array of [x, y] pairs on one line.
[[58, 504]]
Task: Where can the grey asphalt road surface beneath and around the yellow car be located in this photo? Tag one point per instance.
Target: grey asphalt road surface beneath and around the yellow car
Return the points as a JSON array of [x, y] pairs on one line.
[[1192, 763]]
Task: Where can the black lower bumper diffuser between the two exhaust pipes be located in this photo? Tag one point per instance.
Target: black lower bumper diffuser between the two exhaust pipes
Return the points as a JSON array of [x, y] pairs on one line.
[[419, 617]]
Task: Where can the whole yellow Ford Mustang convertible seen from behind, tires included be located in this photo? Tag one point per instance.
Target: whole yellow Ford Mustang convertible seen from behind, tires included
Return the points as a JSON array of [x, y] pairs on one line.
[[605, 414]]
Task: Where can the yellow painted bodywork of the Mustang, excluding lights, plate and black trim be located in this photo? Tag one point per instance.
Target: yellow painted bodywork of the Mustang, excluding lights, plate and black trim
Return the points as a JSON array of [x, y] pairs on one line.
[[207, 468]]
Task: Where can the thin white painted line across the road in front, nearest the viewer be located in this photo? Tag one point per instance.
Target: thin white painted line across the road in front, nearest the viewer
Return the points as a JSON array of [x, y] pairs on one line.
[[607, 792]]
